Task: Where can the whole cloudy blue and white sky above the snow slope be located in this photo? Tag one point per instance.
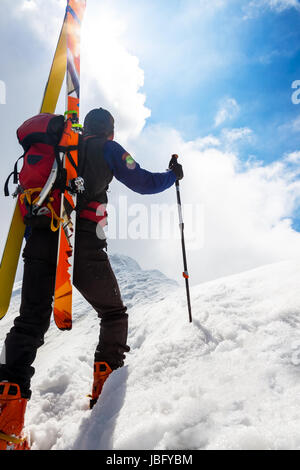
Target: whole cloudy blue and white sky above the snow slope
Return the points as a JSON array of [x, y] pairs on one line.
[[216, 82]]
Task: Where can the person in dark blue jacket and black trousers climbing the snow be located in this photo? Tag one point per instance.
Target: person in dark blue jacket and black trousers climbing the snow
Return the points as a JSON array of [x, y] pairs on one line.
[[100, 159]]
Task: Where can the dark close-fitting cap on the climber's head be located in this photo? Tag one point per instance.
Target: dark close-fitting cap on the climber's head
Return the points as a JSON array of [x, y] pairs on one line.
[[99, 122]]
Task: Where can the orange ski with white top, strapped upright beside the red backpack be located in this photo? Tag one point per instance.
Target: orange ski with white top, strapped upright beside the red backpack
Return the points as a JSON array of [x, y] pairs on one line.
[[62, 304]]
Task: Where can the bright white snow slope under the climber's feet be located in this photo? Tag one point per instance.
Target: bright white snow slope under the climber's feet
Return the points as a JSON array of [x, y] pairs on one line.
[[230, 380]]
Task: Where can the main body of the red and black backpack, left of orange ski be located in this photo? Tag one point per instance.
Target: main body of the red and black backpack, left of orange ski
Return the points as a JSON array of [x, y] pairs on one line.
[[39, 137]]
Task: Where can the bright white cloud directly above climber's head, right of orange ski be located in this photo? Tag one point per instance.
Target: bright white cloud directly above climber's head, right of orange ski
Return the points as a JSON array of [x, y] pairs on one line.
[[111, 76]]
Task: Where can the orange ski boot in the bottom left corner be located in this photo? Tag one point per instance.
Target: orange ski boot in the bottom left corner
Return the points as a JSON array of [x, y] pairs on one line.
[[12, 413]]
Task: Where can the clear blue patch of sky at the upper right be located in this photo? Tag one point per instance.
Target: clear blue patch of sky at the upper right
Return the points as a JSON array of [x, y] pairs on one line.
[[259, 61]]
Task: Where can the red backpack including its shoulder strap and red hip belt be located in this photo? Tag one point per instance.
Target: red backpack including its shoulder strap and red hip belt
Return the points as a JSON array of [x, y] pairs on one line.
[[41, 138]]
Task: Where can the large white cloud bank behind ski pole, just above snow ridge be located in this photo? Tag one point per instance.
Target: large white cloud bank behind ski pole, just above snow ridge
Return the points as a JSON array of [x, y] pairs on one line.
[[247, 212]]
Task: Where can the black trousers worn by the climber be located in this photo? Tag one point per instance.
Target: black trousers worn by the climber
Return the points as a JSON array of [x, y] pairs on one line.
[[95, 280]]
